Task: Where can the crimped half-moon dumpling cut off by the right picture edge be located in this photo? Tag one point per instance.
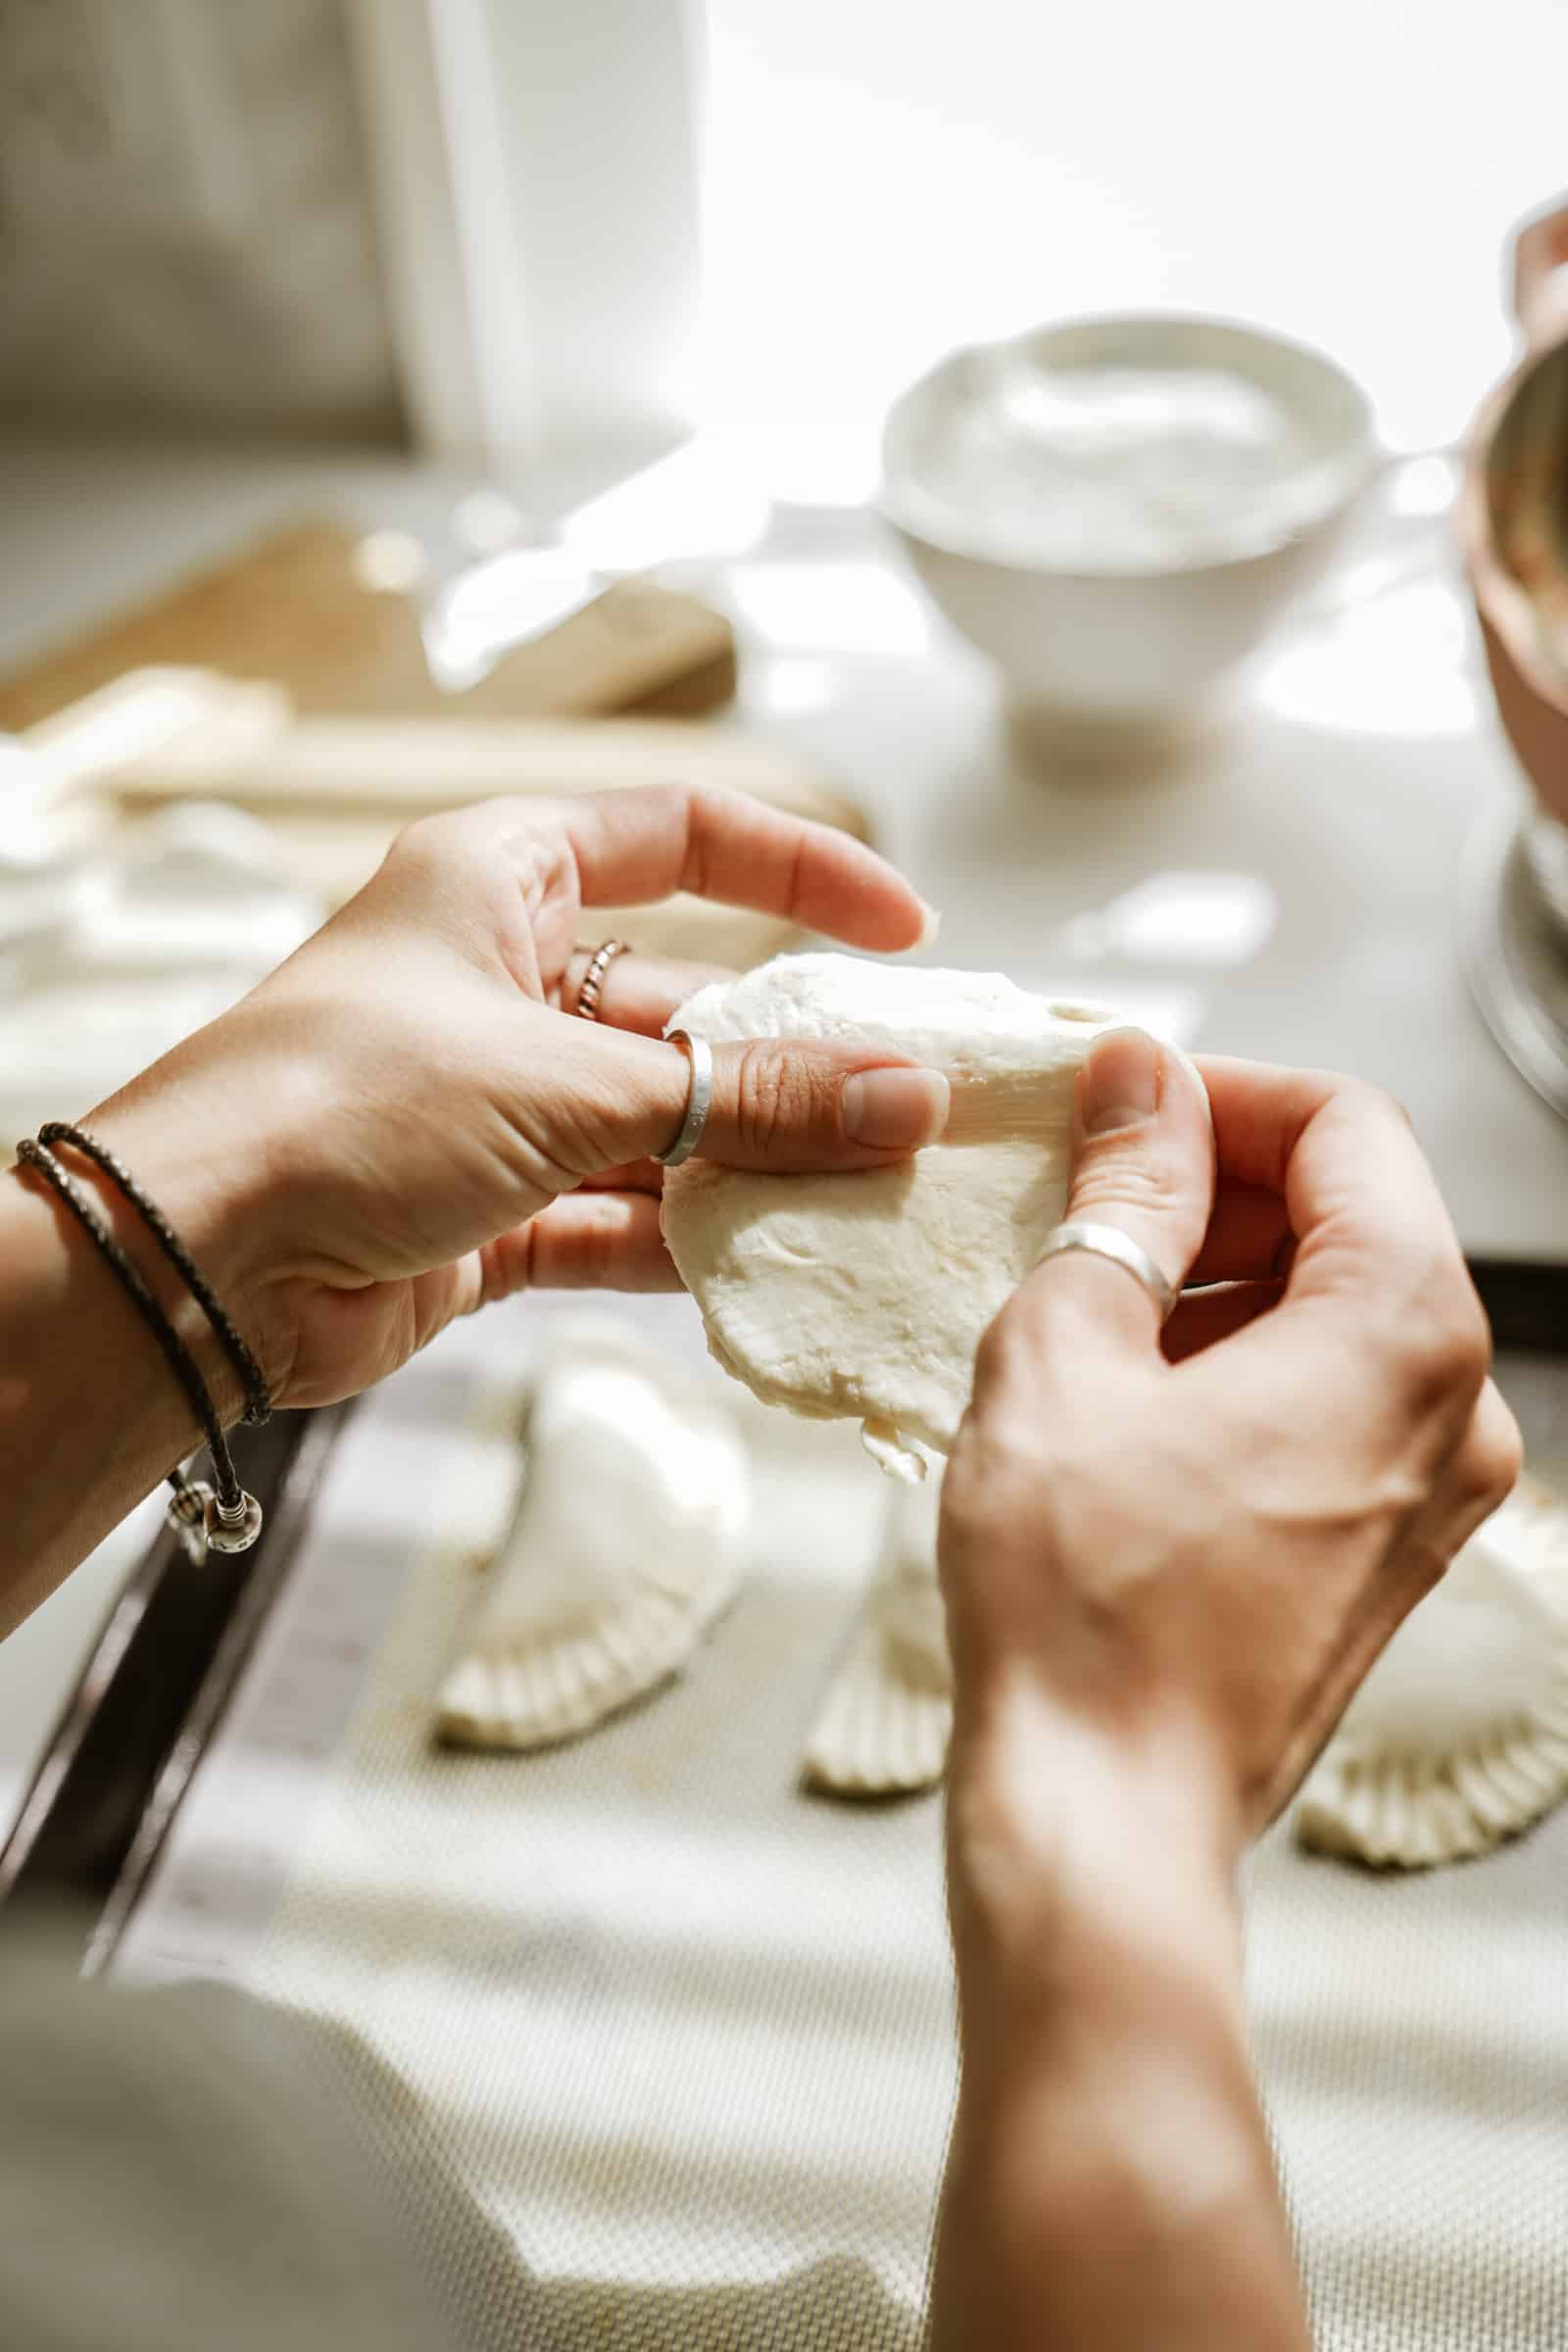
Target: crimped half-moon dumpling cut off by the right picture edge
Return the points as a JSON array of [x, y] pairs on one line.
[[1459, 1737]]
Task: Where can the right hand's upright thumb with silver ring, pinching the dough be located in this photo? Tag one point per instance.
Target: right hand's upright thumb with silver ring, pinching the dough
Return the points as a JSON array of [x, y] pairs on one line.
[[1144, 1163]]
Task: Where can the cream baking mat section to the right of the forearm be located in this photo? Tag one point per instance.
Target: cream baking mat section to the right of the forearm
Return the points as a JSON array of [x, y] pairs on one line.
[[1412, 2036]]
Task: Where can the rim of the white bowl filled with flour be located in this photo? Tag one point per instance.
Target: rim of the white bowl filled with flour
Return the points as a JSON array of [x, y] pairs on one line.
[[927, 521]]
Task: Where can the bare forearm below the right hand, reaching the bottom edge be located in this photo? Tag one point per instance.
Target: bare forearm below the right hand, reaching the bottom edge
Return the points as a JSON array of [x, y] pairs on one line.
[[1111, 2177]]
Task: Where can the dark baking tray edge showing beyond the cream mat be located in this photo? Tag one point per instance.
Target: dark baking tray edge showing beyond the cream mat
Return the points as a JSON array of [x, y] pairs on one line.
[[170, 1655]]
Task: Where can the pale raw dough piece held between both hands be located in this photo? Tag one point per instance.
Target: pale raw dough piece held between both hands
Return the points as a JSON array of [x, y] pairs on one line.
[[866, 1297]]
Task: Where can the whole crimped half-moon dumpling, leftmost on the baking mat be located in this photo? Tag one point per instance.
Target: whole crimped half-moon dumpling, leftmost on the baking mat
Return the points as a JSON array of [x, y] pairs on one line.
[[624, 1551]]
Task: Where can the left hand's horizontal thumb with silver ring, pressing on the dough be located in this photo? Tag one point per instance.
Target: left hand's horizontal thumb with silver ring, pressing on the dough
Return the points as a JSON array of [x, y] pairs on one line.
[[777, 1107]]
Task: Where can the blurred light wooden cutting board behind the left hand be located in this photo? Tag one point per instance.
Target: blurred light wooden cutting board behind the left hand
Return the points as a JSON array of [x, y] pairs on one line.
[[304, 697]]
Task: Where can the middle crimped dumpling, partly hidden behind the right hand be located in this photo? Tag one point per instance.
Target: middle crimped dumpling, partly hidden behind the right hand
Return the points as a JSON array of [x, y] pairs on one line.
[[887, 1716]]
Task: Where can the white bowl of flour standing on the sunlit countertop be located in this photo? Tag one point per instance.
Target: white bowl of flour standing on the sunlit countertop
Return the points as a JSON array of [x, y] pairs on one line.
[[1141, 622]]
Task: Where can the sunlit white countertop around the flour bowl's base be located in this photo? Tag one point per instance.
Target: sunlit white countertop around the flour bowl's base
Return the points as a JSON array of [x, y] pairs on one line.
[[1346, 784]]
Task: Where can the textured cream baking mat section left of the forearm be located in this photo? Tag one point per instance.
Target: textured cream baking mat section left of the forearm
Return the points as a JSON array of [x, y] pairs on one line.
[[685, 1989]]
